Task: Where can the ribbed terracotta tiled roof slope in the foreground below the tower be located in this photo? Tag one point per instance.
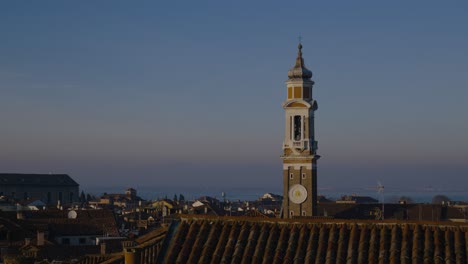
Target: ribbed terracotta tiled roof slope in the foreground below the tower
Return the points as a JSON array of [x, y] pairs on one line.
[[250, 240]]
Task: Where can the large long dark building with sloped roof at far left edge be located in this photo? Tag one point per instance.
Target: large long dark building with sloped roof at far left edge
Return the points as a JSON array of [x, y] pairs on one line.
[[49, 188]]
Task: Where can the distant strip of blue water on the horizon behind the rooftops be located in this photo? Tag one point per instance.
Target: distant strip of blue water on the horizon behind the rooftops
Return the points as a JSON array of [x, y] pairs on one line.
[[250, 194]]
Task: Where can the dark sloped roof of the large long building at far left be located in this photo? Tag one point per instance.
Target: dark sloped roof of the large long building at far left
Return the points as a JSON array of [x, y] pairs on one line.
[[36, 179]]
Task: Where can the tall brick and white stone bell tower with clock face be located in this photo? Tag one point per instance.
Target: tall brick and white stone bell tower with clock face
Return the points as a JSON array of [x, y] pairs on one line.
[[299, 146]]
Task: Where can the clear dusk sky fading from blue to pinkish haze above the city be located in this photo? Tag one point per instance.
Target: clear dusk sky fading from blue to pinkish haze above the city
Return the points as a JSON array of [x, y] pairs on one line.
[[161, 93]]
